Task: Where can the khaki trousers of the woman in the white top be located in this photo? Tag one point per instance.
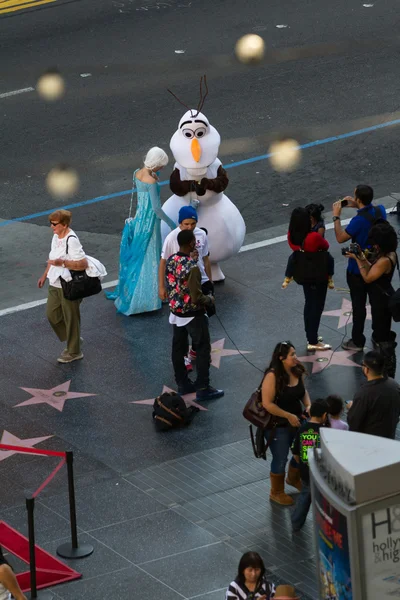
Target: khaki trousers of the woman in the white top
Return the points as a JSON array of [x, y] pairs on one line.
[[65, 319]]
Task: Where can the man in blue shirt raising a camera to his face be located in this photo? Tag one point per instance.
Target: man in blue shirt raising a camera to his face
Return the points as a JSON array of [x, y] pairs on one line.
[[357, 231]]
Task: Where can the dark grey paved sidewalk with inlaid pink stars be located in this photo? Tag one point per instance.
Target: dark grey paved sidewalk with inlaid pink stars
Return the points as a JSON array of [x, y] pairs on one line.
[[168, 514]]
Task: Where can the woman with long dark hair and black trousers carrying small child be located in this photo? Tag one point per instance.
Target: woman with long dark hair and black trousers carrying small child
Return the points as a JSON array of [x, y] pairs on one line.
[[311, 270]]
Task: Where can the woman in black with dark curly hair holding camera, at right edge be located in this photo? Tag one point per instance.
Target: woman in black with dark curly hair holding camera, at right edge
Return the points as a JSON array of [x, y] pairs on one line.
[[377, 273]]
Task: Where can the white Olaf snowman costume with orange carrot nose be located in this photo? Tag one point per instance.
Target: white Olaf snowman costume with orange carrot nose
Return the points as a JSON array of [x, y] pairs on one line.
[[200, 180]]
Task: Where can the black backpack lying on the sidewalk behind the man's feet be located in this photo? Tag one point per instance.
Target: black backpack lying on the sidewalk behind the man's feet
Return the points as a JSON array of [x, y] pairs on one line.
[[170, 412]]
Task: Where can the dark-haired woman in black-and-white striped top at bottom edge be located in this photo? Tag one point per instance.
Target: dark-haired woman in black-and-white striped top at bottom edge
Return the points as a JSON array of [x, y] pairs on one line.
[[250, 581]]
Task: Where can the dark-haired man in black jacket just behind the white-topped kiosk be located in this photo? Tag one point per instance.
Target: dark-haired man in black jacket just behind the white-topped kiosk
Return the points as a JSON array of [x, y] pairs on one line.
[[376, 406]]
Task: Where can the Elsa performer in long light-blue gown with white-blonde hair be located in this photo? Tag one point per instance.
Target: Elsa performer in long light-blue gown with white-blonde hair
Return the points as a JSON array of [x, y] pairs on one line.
[[140, 251]]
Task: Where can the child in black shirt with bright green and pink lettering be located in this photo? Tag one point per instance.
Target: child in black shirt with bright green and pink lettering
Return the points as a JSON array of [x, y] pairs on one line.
[[307, 437]]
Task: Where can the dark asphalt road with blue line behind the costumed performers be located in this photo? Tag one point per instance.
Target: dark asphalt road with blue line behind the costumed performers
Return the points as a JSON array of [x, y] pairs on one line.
[[333, 69]]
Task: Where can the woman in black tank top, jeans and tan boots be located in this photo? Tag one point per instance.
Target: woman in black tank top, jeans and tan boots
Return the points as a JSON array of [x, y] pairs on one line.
[[285, 397]]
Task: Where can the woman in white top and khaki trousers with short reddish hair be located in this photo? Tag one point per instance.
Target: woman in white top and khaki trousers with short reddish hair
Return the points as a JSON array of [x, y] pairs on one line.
[[64, 315]]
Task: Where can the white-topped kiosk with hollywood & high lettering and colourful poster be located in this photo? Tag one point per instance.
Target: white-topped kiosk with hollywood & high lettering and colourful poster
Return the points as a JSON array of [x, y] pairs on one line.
[[355, 483]]
